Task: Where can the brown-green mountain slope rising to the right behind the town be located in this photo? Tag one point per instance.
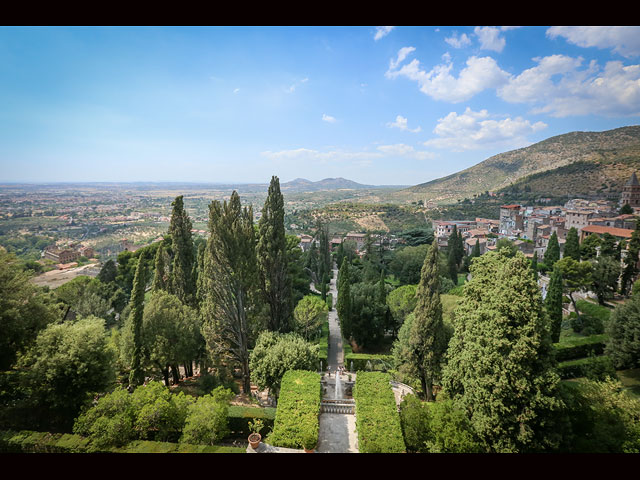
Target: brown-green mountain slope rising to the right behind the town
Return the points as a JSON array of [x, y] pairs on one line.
[[579, 163]]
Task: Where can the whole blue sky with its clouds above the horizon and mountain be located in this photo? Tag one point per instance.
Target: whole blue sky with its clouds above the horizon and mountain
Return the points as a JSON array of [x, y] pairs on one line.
[[378, 105]]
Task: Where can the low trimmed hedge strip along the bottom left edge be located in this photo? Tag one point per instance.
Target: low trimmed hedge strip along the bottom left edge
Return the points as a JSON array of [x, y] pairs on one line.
[[26, 441]]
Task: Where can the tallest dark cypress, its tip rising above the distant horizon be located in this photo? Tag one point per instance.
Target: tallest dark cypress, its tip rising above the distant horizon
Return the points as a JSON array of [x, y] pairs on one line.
[[273, 265]]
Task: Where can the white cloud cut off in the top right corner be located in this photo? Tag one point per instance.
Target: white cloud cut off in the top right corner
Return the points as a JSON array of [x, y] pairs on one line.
[[622, 40]]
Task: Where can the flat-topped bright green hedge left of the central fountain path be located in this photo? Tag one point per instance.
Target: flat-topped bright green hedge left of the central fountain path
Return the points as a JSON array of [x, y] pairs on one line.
[[298, 409]]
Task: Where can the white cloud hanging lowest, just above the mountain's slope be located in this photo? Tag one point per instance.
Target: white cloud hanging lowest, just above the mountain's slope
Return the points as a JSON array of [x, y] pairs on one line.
[[477, 130]]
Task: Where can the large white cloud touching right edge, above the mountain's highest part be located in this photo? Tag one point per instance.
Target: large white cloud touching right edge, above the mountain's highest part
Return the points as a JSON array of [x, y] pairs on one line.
[[560, 86]]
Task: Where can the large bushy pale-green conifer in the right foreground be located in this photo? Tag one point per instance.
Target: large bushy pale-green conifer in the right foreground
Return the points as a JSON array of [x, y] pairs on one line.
[[500, 368]]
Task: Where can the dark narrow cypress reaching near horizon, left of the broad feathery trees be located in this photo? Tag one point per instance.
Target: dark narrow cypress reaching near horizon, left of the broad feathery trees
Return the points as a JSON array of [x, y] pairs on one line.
[[181, 277]]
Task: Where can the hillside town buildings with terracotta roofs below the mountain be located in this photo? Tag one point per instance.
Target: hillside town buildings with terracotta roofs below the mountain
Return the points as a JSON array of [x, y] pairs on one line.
[[531, 227]]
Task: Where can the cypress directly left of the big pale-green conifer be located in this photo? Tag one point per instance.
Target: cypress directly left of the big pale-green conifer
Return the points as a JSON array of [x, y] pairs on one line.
[[427, 338]]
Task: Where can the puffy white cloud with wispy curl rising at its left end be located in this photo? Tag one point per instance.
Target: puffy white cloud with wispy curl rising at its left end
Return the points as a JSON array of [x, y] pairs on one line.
[[479, 74]]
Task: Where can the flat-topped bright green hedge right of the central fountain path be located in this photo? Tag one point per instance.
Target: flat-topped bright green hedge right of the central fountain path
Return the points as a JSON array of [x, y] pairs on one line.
[[377, 418]]
